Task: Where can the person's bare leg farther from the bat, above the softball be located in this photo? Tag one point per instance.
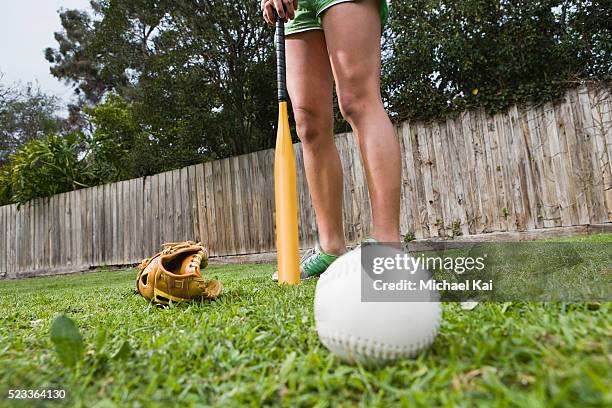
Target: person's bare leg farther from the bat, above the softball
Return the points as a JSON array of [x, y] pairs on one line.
[[352, 33]]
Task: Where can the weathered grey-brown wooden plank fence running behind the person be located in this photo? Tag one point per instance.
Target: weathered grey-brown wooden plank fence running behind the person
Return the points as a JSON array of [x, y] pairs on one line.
[[526, 169]]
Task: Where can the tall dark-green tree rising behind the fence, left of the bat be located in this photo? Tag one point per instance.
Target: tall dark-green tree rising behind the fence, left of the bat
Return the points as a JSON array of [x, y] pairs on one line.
[[200, 74]]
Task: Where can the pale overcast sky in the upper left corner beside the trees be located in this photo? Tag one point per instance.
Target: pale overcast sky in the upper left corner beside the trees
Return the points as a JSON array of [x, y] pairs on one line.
[[26, 29]]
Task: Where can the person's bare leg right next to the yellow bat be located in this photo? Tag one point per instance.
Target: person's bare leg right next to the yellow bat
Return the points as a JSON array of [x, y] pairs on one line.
[[309, 82]]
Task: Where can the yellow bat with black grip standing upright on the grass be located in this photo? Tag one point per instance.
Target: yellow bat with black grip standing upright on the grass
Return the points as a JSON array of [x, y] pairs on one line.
[[285, 188]]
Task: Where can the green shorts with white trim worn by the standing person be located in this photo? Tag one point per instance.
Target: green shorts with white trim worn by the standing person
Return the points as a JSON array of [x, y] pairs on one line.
[[308, 15]]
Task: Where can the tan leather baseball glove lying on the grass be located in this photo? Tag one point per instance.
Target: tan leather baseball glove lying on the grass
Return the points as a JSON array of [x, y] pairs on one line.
[[175, 274]]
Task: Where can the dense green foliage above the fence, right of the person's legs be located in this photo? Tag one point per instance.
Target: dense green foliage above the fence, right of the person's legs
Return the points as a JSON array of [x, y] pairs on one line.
[[445, 56]]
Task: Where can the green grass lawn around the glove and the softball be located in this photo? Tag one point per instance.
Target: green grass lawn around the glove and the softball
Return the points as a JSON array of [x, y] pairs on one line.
[[257, 345]]
